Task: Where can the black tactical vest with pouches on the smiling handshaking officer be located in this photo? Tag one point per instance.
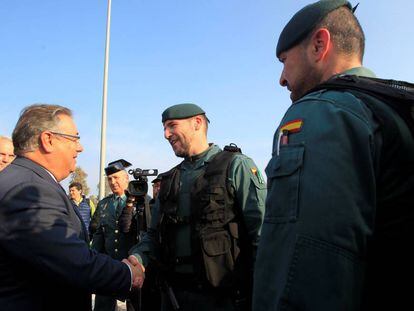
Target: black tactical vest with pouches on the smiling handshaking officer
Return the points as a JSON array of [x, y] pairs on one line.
[[219, 244]]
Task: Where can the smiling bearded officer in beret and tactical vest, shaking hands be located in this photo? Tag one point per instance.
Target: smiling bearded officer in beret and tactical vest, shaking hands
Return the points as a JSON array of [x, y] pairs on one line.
[[206, 221]]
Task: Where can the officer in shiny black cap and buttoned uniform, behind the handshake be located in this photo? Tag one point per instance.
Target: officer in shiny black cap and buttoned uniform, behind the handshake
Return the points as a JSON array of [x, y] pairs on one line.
[[110, 237]]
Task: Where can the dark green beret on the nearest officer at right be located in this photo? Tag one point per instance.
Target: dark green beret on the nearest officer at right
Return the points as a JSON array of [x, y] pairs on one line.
[[304, 21]]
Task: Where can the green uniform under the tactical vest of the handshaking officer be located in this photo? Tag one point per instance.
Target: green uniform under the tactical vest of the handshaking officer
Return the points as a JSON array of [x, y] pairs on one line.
[[249, 188]]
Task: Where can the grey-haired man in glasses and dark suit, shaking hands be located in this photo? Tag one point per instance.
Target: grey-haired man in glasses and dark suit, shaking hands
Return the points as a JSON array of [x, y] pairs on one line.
[[45, 262]]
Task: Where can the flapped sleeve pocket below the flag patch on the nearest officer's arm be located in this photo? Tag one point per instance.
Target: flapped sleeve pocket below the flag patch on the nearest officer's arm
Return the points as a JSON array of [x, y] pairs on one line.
[[283, 172]]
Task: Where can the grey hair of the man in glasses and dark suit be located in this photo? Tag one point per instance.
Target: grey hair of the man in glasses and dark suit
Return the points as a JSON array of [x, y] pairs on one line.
[[34, 120]]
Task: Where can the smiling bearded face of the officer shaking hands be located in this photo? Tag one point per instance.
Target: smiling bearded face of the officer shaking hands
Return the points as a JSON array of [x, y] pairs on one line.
[[180, 134]]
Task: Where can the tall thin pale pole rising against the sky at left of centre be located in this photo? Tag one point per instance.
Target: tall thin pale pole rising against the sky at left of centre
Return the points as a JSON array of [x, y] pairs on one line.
[[104, 104]]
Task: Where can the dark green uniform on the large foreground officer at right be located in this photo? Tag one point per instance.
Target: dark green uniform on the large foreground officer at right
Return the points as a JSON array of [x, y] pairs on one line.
[[338, 219]]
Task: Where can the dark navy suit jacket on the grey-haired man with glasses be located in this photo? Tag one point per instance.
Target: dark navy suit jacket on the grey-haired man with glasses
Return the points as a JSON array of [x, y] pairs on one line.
[[45, 261]]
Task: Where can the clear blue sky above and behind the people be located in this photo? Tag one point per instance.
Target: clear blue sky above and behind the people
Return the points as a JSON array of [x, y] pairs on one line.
[[219, 54]]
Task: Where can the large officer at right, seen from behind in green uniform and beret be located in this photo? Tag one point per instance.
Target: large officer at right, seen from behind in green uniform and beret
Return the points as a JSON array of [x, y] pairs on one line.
[[339, 211]]
